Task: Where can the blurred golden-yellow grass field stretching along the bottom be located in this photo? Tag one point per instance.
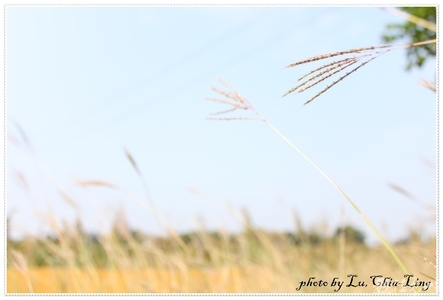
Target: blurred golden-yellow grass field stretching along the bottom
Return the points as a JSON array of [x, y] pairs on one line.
[[252, 261]]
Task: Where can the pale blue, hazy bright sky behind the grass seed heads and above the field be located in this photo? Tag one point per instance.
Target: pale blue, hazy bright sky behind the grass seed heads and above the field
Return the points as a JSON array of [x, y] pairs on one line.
[[84, 84]]
